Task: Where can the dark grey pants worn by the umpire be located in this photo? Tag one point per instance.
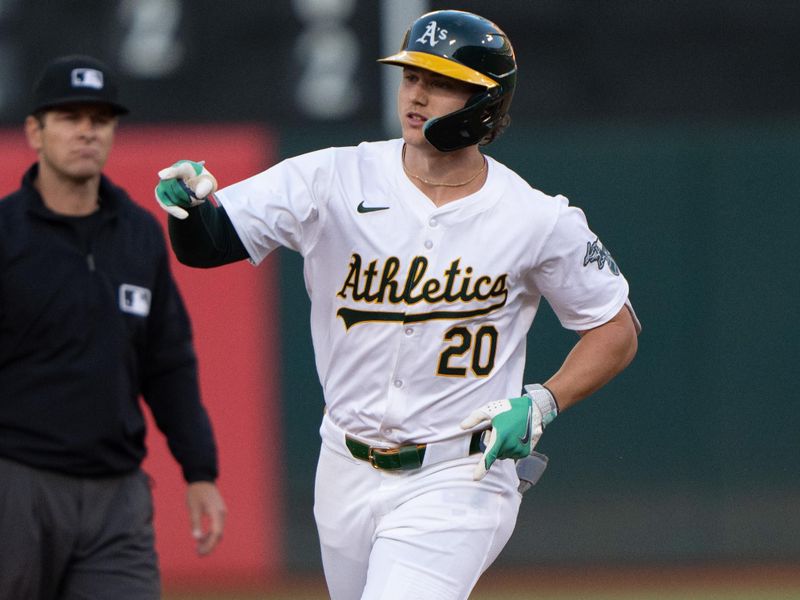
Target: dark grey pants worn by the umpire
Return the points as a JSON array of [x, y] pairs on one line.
[[73, 538]]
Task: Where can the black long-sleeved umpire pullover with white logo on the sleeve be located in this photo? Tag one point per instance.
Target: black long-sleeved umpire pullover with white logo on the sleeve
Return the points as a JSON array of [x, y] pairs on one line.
[[90, 320]]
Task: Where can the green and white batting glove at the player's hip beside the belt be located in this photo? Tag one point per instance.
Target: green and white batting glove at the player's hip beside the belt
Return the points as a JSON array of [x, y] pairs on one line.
[[516, 425]]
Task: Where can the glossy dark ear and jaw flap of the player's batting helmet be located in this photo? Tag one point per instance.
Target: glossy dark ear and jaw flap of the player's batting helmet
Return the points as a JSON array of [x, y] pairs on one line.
[[468, 125]]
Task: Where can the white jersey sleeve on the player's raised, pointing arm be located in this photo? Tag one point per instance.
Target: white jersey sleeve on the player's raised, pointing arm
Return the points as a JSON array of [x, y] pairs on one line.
[[282, 206]]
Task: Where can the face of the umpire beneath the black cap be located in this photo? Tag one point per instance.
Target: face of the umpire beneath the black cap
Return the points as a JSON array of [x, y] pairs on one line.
[[73, 141]]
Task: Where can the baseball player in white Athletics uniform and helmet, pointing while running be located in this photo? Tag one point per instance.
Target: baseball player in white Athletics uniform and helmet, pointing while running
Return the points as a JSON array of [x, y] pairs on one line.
[[425, 261]]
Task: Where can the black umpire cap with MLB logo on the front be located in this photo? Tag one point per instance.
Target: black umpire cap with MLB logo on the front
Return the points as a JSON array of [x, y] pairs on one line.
[[76, 79]]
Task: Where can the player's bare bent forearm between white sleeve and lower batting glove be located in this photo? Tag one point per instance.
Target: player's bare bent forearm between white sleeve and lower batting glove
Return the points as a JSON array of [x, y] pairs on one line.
[[596, 359]]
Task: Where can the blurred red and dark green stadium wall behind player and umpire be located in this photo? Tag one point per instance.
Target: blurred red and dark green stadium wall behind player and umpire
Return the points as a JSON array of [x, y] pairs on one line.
[[674, 125]]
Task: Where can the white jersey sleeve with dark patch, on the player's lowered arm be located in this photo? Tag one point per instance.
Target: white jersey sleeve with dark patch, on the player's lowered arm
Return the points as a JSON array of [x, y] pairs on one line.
[[577, 275]]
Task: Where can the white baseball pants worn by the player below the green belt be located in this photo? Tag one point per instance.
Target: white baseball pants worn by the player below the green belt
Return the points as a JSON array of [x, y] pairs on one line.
[[426, 534]]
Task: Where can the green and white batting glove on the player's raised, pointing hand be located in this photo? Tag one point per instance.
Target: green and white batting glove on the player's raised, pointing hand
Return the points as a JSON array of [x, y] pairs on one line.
[[183, 185]]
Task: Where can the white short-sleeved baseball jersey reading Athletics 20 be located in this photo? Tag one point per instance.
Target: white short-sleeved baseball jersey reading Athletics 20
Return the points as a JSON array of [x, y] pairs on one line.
[[419, 314]]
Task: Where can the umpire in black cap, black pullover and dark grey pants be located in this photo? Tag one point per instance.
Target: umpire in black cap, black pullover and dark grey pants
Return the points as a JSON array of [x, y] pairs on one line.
[[90, 320]]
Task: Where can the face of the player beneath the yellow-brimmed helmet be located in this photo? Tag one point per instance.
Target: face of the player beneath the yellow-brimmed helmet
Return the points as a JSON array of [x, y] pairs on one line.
[[425, 95]]
